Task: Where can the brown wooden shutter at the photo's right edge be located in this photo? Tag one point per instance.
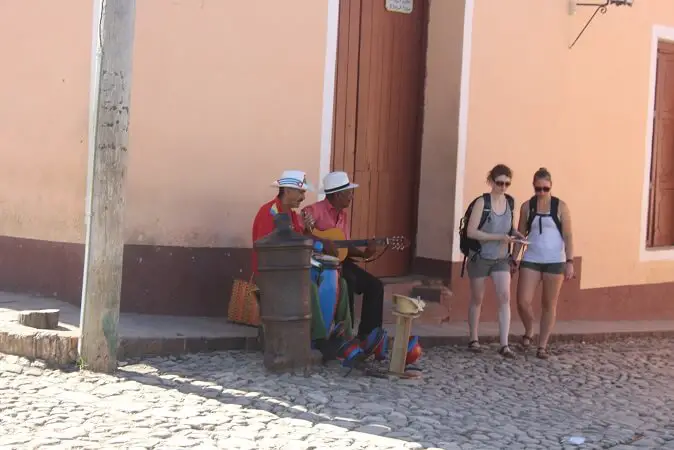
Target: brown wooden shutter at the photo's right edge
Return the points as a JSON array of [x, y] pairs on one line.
[[661, 223]]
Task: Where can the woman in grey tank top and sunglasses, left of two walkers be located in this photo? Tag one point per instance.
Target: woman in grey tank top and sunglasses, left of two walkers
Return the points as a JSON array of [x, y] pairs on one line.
[[493, 260]]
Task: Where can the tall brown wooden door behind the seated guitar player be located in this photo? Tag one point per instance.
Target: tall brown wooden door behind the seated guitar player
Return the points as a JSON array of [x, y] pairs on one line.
[[377, 131]]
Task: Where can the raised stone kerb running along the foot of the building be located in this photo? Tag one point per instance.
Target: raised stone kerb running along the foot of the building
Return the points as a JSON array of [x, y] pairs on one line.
[[244, 338]]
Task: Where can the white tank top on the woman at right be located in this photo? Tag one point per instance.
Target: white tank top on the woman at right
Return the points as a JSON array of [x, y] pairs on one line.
[[546, 245]]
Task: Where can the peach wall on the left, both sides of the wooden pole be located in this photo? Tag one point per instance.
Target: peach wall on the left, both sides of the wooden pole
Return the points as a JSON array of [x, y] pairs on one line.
[[225, 95]]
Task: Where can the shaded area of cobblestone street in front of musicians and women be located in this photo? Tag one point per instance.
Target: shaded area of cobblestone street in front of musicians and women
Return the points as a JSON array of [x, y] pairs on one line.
[[611, 394]]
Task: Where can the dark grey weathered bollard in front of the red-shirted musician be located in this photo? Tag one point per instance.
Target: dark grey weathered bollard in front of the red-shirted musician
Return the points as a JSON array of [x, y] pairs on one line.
[[284, 263]]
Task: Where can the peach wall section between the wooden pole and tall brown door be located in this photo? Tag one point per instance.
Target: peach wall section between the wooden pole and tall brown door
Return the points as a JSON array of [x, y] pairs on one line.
[[226, 94]]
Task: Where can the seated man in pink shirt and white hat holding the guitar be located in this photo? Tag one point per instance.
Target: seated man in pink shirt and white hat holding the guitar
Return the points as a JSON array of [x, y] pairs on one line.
[[331, 213]]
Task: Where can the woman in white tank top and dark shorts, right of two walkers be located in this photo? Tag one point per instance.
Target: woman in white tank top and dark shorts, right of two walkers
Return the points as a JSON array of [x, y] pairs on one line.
[[548, 258]]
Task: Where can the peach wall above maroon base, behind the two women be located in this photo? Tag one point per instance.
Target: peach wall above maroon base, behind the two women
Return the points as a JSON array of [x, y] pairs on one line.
[[582, 113]]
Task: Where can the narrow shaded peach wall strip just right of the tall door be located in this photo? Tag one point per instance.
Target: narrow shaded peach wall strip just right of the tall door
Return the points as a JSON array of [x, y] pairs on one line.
[[441, 118]]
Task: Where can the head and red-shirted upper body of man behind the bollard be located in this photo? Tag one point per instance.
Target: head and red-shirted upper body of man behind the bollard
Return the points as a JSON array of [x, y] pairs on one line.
[[292, 186]]
